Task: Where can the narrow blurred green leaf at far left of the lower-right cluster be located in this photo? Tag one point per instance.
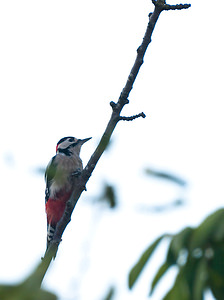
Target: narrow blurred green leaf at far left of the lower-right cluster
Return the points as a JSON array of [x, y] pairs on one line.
[[137, 269]]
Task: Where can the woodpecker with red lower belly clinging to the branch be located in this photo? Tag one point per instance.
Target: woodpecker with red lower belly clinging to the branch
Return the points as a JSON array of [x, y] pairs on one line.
[[60, 180]]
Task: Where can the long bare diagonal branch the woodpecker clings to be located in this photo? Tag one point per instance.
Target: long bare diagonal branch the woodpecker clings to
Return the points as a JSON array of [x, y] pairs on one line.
[[160, 5]]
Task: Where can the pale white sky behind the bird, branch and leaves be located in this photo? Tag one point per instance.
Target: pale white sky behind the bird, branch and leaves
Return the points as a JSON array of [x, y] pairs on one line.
[[61, 63]]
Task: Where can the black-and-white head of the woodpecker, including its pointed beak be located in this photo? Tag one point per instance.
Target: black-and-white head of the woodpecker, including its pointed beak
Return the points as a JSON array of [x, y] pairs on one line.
[[70, 145]]
